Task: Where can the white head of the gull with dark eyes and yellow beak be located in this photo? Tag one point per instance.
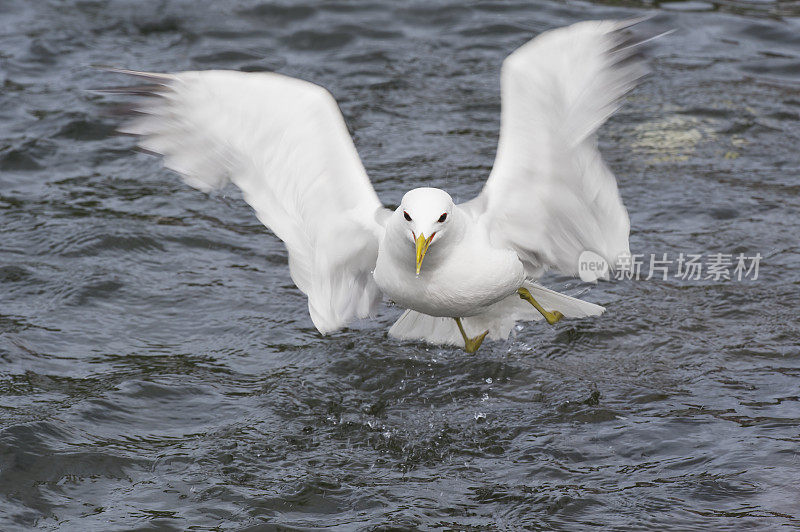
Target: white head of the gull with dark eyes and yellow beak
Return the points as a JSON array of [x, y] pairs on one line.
[[425, 212]]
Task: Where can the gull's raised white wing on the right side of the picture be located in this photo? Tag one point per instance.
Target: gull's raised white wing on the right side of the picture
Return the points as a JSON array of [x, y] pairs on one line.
[[550, 196]]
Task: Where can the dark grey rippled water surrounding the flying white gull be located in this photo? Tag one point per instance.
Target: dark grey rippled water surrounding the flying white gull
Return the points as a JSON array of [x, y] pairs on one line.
[[158, 370]]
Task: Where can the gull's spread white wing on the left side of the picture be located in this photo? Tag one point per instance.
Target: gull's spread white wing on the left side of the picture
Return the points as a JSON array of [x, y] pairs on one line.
[[284, 143]]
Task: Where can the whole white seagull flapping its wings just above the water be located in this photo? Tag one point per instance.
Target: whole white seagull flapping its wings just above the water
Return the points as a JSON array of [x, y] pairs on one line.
[[463, 271]]
